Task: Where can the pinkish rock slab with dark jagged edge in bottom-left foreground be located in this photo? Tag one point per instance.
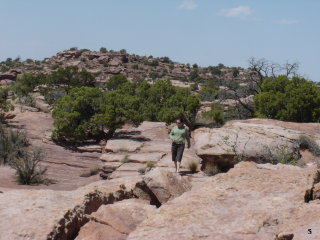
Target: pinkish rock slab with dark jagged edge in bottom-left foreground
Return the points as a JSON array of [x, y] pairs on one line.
[[48, 214]]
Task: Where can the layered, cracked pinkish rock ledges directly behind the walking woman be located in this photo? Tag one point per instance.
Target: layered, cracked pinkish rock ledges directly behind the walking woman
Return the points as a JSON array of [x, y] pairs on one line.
[[131, 149]]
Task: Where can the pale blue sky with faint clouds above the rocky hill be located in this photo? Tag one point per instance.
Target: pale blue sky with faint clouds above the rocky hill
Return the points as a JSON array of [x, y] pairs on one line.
[[206, 32]]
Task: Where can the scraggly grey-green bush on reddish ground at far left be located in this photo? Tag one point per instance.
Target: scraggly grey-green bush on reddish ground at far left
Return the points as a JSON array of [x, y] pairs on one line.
[[28, 170]]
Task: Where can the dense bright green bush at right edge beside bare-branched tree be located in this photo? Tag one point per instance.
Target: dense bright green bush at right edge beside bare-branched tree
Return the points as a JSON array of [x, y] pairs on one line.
[[286, 99]]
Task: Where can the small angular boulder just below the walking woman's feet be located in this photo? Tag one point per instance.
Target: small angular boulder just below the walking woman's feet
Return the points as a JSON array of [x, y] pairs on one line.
[[166, 185]]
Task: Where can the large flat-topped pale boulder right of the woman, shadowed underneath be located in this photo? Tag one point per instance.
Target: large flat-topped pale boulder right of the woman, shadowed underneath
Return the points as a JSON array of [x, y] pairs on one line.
[[239, 140]]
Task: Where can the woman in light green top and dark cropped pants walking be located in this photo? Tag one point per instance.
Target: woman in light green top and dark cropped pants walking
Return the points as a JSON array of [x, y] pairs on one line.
[[179, 134]]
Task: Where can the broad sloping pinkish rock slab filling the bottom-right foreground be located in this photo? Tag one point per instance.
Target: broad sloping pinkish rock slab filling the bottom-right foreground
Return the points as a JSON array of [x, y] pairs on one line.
[[252, 201]]
